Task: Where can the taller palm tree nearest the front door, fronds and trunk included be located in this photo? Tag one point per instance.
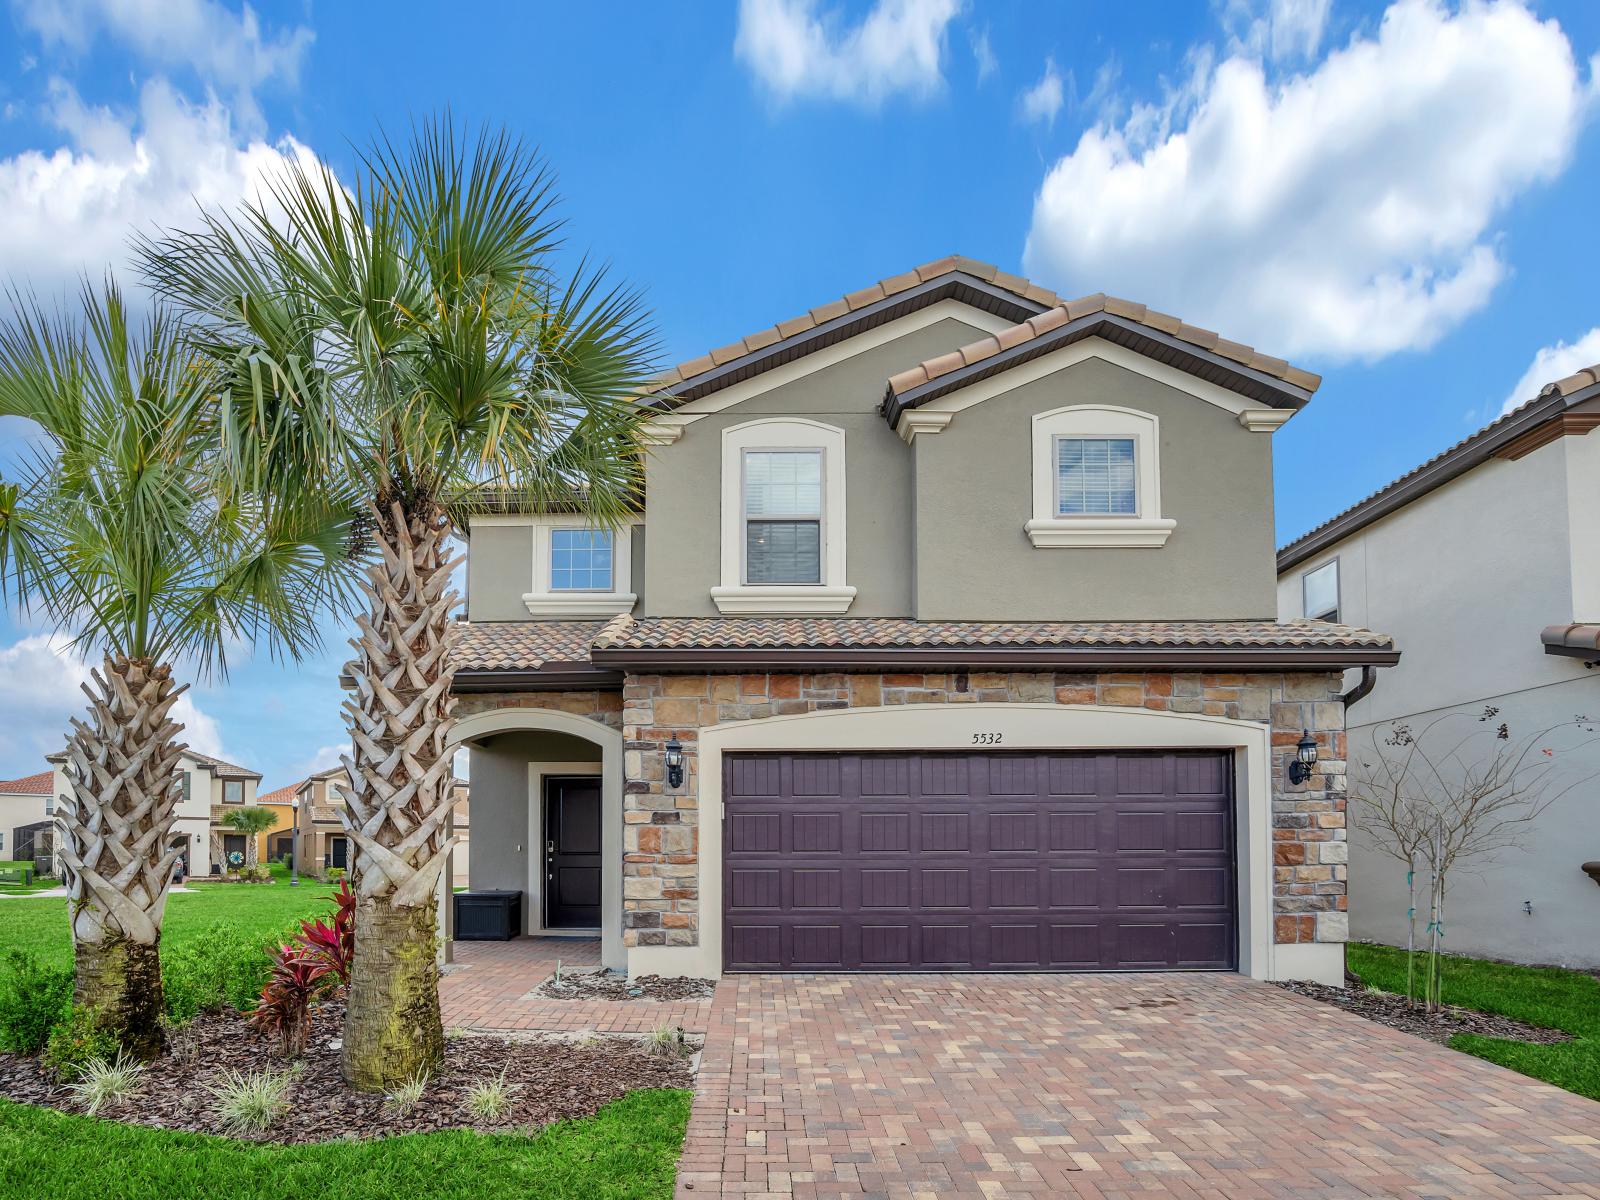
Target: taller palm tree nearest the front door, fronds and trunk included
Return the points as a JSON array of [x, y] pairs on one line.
[[415, 337]]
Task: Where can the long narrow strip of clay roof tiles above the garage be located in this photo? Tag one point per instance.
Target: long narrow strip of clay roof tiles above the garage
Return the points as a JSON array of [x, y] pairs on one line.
[[902, 633]]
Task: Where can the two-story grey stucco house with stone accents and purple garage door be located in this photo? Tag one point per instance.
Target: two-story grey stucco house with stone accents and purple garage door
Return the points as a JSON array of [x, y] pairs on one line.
[[958, 602]]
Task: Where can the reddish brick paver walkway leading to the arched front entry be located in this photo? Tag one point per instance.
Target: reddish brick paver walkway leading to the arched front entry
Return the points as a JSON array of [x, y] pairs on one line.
[[490, 986]]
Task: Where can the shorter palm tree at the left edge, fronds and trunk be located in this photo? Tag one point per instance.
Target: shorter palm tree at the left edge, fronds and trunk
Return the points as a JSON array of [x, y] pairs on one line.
[[118, 532]]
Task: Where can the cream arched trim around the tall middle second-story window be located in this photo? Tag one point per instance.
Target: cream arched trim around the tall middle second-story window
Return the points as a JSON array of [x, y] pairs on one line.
[[734, 598]]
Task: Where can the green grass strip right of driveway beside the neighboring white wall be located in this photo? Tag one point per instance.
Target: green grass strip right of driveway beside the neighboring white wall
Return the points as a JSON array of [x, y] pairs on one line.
[[1542, 996]]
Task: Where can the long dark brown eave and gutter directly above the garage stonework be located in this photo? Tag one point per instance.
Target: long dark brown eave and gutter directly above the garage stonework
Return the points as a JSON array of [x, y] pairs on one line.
[[999, 658]]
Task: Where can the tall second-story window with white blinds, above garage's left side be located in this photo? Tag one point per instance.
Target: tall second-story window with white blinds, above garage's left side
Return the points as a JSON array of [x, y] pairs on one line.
[[783, 518]]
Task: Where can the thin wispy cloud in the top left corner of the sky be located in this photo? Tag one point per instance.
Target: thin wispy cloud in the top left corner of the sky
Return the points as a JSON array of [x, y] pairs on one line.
[[230, 50]]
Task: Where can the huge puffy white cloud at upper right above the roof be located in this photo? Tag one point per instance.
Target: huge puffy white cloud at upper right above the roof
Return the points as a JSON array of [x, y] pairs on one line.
[[1346, 212]]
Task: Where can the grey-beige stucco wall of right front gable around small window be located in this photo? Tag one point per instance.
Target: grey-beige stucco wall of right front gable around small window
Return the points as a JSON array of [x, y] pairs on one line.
[[975, 494]]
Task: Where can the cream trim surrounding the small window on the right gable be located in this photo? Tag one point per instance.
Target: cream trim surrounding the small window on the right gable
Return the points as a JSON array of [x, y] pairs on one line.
[[1148, 530]]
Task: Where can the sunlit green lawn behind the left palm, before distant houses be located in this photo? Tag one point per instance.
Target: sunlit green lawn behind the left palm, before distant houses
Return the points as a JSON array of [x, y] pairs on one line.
[[41, 924]]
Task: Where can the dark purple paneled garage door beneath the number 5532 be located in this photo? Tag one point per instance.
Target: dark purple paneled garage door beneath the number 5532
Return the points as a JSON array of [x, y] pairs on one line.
[[1094, 862]]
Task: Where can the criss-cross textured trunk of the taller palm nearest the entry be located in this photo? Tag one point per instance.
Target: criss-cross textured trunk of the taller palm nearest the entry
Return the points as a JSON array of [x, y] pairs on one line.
[[398, 807]]
